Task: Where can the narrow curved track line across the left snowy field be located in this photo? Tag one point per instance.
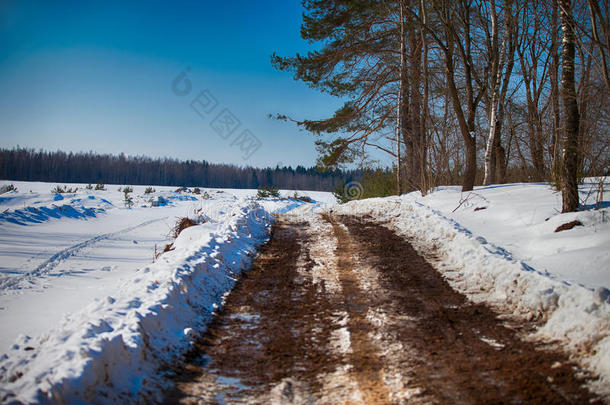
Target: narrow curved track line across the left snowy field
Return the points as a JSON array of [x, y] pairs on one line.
[[18, 282]]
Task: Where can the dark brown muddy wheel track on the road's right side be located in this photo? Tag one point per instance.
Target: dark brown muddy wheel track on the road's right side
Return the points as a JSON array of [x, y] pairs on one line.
[[457, 351]]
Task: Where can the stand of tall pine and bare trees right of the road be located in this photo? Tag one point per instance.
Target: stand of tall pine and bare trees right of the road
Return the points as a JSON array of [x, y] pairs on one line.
[[470, 91]]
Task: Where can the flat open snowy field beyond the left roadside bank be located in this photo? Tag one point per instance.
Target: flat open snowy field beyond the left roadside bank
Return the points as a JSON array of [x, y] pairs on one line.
[[53, 260]]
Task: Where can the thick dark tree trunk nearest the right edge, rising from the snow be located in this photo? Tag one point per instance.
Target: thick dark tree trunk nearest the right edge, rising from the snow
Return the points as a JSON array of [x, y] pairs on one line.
[[569, 184]]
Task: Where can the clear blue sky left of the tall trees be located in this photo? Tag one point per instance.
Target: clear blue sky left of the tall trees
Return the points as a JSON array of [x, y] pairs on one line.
[[93, 75]]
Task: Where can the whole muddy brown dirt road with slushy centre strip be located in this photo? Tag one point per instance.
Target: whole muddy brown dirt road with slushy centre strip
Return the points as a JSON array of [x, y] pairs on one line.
[[341, 310]]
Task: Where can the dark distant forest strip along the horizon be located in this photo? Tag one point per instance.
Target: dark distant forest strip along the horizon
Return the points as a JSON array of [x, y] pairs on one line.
[[22, 164]]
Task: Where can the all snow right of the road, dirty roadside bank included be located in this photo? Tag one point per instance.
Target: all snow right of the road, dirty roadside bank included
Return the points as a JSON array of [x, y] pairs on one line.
[[498, 244]]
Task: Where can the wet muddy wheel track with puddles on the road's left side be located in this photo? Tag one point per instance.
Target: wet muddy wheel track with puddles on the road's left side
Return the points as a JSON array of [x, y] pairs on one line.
[[270, 338]]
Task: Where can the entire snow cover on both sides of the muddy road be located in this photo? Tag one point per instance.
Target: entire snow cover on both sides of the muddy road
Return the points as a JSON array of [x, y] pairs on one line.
[[85, 312]]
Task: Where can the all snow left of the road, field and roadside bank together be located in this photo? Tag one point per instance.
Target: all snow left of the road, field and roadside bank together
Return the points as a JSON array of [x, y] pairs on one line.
[[86, 309]]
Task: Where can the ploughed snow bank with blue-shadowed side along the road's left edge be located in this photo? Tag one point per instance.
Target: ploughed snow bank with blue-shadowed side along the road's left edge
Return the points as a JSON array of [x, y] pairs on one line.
[[115, 349]]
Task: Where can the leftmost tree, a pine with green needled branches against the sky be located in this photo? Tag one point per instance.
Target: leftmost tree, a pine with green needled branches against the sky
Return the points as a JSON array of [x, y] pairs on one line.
[[359, 60]]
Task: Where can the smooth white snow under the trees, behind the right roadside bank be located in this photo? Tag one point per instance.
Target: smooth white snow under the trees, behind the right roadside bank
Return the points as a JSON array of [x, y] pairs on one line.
[[522, 218]]
